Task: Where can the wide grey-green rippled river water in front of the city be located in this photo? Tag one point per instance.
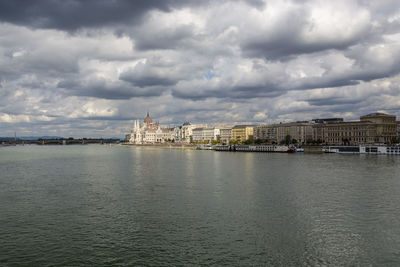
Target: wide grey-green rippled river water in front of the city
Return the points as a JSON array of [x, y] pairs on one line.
[[103, 206]]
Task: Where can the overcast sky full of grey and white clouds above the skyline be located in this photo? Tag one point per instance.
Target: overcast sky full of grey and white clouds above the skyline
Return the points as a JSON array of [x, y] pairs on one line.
[[88, 68]]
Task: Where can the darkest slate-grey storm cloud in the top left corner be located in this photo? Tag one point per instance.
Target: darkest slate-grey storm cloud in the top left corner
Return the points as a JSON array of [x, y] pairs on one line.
[[74, 14]]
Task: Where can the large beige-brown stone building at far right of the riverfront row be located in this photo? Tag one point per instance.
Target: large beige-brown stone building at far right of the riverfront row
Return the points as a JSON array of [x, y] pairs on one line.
[[371, 128]]
